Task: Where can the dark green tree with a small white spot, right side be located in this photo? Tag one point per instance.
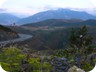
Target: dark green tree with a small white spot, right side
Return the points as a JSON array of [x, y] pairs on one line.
[[80, 39]]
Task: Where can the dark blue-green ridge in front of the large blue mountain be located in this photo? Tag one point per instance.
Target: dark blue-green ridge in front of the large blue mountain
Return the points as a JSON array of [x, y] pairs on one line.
[[60, 22]]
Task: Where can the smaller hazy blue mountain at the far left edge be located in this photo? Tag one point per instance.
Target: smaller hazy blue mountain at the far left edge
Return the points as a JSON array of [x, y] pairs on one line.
[[6, 18]]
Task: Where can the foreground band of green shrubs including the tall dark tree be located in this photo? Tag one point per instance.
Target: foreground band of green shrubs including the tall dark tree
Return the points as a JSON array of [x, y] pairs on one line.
[[81, 52]]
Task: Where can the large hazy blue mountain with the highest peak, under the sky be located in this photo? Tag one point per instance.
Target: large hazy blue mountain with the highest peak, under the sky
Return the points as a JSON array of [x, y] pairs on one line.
[[56, 14]]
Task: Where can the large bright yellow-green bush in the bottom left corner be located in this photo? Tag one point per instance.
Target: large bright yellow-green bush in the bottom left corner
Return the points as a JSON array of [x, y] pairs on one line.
[[11, 59]]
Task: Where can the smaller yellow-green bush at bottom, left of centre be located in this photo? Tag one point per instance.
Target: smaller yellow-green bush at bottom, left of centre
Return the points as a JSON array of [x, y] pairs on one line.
[[38, 66]]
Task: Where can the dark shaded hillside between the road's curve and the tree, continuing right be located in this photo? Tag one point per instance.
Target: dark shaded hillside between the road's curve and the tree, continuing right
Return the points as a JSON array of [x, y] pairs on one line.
[[51, 39]]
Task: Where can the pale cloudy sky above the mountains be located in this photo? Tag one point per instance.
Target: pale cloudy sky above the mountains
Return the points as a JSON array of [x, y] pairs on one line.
[[29, 7]]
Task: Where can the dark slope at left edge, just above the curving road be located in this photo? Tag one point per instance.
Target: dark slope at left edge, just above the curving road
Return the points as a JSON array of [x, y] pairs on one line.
[[7, 34]]
